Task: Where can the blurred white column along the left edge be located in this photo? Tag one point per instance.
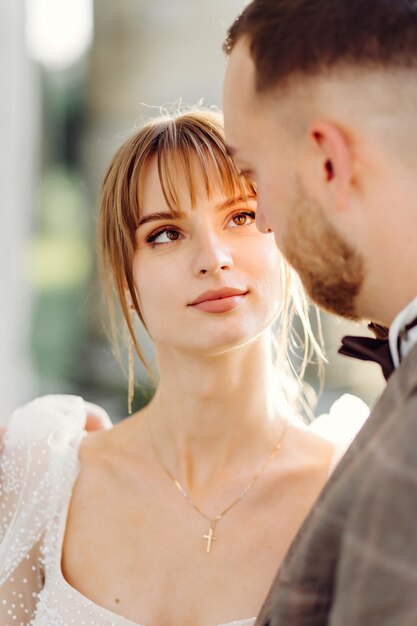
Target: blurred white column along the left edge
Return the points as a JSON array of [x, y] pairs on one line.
[[18, 110]]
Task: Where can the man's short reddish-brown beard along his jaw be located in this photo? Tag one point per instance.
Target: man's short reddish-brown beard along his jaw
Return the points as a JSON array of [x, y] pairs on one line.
[[331, 270]]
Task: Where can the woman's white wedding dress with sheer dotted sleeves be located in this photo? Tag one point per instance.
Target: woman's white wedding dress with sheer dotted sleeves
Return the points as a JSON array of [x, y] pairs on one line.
[[38, 468]]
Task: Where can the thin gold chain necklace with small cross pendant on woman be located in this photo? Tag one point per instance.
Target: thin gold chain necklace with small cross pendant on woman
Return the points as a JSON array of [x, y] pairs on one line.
[[213, 521]]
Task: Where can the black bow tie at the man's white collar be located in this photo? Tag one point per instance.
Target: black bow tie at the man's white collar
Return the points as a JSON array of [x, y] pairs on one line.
[[378, 349]]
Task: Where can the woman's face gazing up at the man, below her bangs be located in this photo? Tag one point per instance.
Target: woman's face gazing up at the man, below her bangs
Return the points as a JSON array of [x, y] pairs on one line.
[[207, 280]]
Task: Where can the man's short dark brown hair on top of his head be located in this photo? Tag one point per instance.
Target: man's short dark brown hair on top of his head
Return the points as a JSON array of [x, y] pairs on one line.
[[305, 37]]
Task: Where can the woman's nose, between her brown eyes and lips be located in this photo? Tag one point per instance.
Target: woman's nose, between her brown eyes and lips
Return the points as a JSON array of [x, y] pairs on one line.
[[212, 255]]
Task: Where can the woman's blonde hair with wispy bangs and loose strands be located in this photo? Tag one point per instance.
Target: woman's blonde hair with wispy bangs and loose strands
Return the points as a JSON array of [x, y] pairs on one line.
[[185, 144]]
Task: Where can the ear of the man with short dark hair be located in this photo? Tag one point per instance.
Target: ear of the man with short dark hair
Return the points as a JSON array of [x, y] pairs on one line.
[[330, 158]]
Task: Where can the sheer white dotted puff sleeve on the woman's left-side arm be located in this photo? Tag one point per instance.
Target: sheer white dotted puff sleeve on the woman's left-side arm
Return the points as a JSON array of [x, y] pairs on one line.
[[31, 473]]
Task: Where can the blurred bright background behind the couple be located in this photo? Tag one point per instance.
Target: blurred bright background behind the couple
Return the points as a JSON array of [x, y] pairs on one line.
[[77, 76]]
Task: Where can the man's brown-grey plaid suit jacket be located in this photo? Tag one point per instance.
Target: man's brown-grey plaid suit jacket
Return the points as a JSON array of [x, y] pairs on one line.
[[354, 561]]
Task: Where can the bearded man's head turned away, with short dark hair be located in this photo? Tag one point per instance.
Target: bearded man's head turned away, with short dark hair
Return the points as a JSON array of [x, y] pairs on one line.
[[320, 104]]
